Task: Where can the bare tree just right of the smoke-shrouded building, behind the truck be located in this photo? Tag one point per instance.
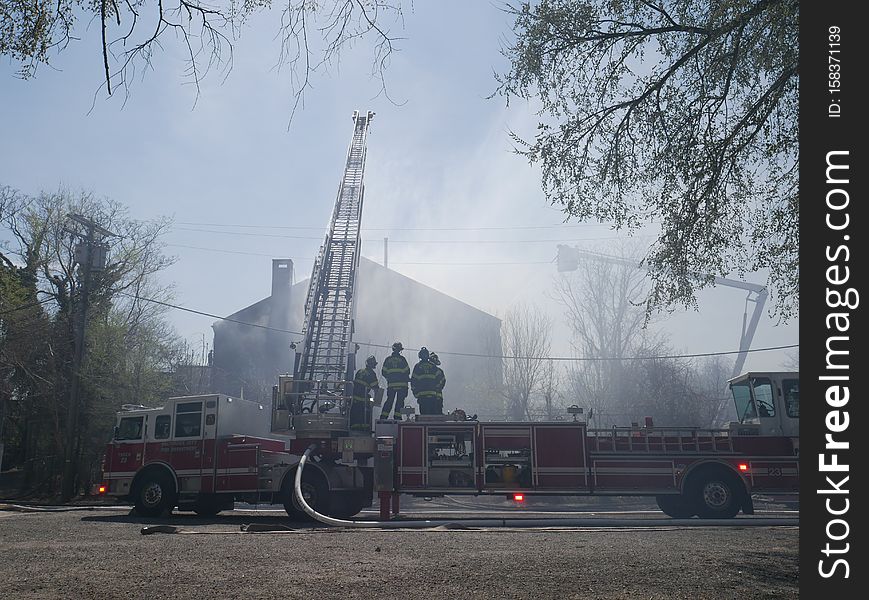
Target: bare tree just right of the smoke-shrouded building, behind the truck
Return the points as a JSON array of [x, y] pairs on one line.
[[525, 339]]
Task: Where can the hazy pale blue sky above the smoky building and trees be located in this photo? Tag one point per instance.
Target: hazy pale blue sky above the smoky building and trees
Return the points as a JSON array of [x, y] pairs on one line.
[[244, 187]]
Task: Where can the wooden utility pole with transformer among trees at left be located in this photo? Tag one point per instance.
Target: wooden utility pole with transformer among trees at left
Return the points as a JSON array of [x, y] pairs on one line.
[[90, 254]]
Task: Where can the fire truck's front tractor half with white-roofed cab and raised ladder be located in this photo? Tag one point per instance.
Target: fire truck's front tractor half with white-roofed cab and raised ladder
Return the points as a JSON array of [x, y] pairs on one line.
[[204, 453]]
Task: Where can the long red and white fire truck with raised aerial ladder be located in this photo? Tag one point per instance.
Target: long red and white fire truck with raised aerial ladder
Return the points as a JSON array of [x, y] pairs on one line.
[[204, 453]]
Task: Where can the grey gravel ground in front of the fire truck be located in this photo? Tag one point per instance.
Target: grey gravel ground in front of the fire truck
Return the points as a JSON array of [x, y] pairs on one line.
[[100, 553]]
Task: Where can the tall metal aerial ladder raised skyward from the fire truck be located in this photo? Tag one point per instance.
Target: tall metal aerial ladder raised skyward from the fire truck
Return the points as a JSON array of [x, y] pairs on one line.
[[326, 362]]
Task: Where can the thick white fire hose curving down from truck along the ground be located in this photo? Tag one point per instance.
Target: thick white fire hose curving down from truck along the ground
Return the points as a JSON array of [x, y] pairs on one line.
[[426, 524]]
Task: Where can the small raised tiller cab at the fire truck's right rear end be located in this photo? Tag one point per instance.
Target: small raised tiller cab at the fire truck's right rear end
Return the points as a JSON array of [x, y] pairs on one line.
[[767, 403]]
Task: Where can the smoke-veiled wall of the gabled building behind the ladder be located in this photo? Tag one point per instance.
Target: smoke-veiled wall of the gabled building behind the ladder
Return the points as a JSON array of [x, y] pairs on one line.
[[389, 307]]
